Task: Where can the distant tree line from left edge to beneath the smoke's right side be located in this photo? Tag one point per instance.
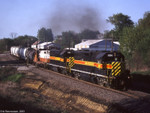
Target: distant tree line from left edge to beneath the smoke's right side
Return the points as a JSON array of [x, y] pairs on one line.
[[67, 39]]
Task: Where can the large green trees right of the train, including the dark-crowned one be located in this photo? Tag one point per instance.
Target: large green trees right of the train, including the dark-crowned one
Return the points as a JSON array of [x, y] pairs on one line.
[[134, 39]]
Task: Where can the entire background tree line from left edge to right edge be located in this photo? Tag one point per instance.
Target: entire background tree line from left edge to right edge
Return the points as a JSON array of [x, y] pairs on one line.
[[134, 38]]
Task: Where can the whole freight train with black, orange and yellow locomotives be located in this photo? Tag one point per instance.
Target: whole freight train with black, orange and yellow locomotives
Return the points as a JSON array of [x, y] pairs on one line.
[[102, 67]]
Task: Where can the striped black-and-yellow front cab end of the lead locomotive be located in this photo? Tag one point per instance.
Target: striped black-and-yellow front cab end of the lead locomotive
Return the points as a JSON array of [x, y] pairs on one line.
[[114, 64]]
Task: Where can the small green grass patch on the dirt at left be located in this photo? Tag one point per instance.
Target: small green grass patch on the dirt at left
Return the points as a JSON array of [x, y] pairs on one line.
[[14, 78]]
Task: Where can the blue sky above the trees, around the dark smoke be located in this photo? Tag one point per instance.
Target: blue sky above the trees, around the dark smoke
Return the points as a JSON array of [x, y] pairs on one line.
[[25, 17]]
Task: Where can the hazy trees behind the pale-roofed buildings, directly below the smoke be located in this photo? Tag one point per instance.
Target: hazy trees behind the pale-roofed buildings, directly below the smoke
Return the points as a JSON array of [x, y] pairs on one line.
[[66, 39]]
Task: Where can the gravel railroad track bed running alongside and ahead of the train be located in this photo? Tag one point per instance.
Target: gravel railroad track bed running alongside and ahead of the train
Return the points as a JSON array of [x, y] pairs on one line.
[[97, 91]]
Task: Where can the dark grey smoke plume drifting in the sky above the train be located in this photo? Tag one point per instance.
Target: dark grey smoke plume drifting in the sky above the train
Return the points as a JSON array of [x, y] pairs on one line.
[[73, 16]]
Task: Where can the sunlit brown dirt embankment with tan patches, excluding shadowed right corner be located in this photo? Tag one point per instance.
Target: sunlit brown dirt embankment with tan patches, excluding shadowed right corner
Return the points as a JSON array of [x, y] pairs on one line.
[[34, 95]]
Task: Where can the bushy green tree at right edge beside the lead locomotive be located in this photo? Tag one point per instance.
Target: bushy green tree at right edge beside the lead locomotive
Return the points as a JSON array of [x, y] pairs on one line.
[[135, 42]]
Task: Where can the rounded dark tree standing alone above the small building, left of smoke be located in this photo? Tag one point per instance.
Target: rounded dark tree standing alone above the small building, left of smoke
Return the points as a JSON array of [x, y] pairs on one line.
[[45, 35]]
